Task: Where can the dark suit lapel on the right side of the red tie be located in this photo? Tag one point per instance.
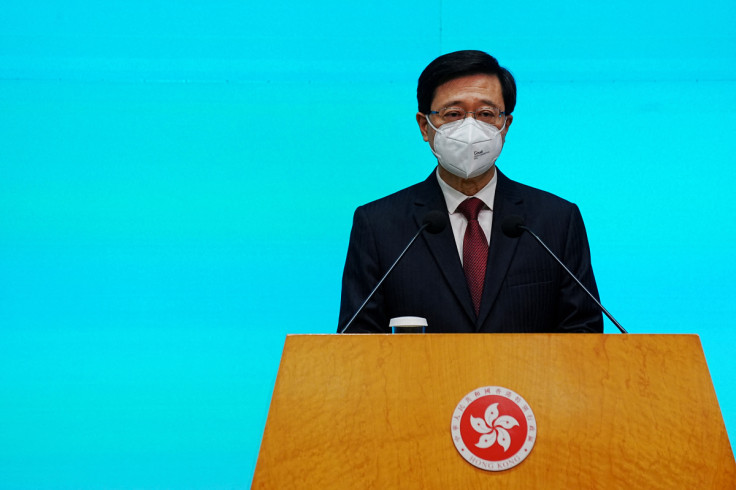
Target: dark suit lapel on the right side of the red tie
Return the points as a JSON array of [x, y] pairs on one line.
[[501, 248]]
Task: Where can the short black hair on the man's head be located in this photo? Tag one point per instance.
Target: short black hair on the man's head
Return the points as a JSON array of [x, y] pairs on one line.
[[462, 64]]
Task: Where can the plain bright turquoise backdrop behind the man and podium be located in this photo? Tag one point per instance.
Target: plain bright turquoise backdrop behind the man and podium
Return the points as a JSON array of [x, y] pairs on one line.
[[177, 181]]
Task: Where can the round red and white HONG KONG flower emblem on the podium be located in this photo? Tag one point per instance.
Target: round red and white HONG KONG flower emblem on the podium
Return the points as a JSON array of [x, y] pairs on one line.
[[493, 428]]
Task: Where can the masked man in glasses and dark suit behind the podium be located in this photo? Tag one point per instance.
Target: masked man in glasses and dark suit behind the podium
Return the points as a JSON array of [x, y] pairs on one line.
[[470, 277]]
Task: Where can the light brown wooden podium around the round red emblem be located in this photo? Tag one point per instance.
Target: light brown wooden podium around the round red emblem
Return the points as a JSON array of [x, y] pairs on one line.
[[612, 411]]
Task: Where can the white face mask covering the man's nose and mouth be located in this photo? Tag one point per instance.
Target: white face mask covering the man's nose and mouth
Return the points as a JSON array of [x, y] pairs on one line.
[[467, 148]]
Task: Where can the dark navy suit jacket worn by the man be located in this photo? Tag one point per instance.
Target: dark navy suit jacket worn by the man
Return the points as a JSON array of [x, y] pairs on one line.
[[525, 289]]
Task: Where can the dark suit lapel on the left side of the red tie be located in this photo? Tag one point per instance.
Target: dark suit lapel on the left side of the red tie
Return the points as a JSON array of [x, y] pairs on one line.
[[442, 245]]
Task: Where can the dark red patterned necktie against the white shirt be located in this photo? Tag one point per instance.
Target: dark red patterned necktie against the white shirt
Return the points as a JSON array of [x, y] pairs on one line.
[[475, 250]]
